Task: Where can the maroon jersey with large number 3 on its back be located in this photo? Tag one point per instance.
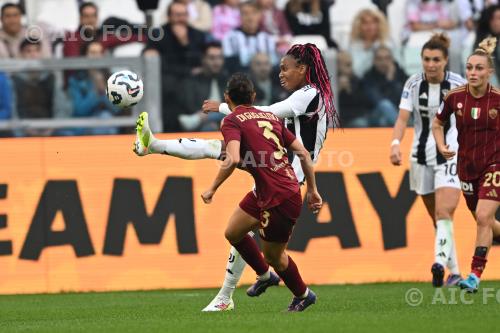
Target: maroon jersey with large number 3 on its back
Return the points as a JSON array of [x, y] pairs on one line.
[[263, 140]]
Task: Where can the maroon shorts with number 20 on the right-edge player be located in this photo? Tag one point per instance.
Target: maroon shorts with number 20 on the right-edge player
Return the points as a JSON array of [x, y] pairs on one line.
[[486, 187]]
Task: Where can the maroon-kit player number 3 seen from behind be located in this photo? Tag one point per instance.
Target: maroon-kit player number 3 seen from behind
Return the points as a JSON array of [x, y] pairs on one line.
[[257, 142]]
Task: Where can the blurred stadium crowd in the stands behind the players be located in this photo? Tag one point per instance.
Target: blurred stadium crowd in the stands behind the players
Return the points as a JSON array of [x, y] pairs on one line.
[[203, 42]]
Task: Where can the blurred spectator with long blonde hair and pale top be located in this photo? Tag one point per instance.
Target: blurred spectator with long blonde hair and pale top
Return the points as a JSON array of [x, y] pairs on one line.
[[369, 31]]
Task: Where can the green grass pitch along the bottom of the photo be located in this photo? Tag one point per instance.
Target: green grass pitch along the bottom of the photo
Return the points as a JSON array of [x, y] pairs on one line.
[[340, 308]]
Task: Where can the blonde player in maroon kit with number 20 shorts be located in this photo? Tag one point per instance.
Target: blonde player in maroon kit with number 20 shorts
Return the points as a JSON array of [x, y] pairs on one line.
[[476, 107]]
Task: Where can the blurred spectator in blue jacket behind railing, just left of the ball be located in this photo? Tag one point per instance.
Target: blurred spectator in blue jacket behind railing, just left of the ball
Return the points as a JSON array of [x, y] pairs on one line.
[[87, 90]]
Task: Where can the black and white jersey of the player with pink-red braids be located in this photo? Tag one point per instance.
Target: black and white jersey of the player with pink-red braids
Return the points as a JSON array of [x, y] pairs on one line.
[[304, 114]]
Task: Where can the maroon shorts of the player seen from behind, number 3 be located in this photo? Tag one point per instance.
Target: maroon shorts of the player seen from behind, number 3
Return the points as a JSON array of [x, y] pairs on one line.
[[276, 223]]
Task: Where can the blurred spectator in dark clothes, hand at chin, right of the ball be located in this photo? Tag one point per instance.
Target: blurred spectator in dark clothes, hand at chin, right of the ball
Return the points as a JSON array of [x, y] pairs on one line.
[[181, 50]]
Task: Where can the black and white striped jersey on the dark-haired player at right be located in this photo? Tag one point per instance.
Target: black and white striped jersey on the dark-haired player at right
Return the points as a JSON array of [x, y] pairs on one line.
[[423, 99]]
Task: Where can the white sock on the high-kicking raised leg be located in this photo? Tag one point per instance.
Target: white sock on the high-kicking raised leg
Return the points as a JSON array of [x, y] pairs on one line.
[[189, 149]]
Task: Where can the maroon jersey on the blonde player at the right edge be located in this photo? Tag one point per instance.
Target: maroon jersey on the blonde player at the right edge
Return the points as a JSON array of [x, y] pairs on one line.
[[478, 128]]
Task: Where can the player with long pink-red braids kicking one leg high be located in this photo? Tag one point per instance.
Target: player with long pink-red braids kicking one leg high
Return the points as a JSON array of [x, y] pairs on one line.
[[308, 112]]
